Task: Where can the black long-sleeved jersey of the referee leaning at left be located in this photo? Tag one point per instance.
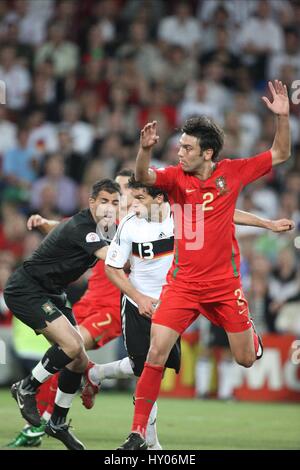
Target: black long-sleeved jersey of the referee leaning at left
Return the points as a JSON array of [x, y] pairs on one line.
[[66, 253]]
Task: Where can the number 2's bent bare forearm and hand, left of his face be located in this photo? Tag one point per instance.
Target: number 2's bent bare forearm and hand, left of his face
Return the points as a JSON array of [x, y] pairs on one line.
[[148, 138]]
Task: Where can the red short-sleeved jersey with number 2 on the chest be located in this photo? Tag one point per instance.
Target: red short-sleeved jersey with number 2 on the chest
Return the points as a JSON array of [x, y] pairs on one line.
[[206, 248]]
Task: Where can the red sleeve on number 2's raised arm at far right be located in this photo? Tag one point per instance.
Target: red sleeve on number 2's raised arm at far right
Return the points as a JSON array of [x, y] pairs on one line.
[[252, 168]]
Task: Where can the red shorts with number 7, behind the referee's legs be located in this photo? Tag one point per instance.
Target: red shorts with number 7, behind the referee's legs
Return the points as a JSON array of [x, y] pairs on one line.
[[103, 323]]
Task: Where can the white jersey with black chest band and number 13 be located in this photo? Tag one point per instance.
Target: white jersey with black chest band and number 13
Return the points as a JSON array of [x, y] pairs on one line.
[[149, 248]]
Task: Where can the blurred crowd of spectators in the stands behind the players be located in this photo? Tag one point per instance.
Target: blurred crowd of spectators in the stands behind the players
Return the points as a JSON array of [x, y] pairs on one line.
[[83, 76]]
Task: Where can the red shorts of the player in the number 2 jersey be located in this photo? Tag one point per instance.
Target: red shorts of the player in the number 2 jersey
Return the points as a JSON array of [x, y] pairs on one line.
[[222, 302]]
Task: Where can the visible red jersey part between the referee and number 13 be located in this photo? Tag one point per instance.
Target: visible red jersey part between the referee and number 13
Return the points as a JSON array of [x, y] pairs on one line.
[[101, 291]]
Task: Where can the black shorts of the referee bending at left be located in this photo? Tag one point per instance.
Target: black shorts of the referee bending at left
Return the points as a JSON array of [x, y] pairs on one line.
[[32, 304]]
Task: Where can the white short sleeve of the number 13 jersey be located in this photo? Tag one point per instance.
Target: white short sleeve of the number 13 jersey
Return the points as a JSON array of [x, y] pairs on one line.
[[120, 248]]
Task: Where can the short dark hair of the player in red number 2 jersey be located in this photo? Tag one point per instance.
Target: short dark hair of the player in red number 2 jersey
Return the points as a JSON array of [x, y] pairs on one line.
[[210, 135]]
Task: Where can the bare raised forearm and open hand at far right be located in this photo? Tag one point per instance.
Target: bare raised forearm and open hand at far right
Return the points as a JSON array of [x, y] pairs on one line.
[[281, 148]]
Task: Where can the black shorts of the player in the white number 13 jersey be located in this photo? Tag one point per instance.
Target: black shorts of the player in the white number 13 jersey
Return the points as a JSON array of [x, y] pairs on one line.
[[136, 333]]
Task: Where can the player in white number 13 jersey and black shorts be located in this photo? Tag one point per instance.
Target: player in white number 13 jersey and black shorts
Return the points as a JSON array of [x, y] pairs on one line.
[[145, 238]]
